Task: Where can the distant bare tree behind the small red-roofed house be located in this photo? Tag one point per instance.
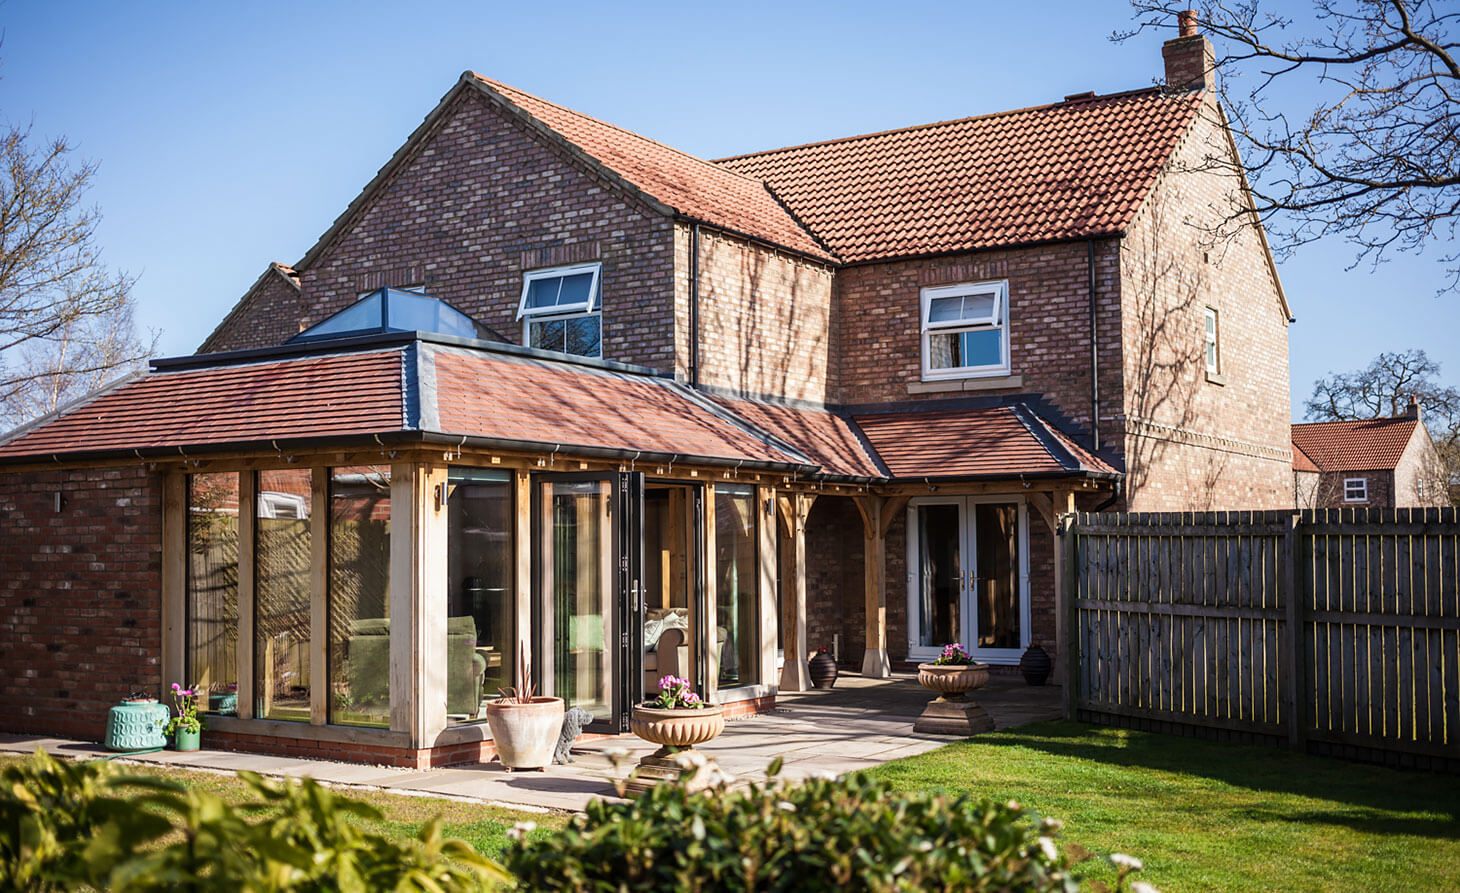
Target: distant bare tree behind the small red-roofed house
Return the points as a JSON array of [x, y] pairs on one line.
[[1383, 389]]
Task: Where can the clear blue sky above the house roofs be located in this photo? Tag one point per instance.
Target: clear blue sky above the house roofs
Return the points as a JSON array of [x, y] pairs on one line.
[[233, 135]]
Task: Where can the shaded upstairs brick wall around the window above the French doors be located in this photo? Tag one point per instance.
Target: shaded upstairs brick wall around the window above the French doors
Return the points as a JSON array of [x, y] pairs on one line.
[[880, 328]]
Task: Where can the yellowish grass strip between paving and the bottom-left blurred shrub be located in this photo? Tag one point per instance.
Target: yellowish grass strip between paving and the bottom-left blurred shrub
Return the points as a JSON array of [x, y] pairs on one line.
[[481, 825]]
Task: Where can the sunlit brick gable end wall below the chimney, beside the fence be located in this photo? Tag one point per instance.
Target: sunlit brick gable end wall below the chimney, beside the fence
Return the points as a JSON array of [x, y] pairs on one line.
[[1196, 443]]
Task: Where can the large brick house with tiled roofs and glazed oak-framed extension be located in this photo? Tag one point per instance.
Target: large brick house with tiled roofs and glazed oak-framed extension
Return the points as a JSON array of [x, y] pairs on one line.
[[550, 389]]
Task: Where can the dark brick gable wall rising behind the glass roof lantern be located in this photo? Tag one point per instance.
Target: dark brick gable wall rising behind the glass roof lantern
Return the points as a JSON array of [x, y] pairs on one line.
[[478, 204]]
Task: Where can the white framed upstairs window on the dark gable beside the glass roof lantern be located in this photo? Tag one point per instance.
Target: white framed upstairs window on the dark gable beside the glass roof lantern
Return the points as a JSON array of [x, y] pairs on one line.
[[560, 310]]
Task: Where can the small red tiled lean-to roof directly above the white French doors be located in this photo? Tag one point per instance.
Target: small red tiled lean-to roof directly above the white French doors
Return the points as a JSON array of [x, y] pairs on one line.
[[1001, 441]]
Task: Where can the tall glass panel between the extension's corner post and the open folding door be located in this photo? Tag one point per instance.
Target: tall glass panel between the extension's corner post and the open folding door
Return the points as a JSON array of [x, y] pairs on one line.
[[481, 603]]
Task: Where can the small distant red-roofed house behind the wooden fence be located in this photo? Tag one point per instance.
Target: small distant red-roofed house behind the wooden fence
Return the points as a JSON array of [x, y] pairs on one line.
[[1370, 463]]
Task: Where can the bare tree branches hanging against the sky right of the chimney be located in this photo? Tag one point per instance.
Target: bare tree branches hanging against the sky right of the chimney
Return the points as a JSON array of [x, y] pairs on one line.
[[1348, 119]]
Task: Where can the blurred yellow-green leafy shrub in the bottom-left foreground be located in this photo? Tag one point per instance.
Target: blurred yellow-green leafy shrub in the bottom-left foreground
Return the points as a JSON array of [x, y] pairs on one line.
[[71, 825]]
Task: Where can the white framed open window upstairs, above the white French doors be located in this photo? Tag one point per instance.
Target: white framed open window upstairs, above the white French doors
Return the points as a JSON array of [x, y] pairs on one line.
[[966, 330]]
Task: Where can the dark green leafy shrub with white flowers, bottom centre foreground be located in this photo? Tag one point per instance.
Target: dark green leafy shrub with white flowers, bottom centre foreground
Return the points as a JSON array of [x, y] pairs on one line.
[[850, 834]]
